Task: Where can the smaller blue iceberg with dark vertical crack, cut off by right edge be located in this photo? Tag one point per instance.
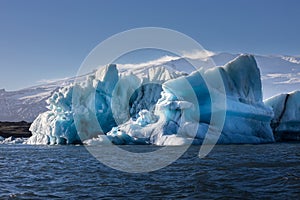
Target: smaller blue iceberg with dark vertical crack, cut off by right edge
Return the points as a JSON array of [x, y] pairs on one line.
[[286, 120]]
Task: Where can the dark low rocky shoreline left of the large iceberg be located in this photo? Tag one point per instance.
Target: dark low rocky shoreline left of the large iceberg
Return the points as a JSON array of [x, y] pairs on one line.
[[15, 129]]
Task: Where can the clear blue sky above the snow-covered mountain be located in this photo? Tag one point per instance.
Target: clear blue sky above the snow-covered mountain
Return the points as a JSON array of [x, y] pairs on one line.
[[49, 39]]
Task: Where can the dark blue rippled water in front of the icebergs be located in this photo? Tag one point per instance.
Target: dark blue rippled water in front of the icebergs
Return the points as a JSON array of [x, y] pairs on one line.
[[229, 171]]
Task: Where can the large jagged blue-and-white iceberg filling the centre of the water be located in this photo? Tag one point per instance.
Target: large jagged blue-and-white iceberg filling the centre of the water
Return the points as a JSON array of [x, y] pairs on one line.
[[158, 106]]
